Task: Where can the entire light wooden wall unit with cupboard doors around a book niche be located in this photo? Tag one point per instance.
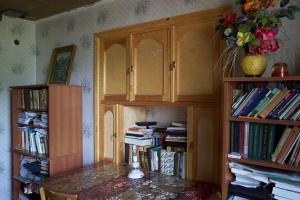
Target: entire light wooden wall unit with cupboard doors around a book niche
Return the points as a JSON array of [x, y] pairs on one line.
[[171, 63]]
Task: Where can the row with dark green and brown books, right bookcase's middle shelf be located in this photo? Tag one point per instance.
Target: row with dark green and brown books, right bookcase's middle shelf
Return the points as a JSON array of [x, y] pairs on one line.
[[266, 142]]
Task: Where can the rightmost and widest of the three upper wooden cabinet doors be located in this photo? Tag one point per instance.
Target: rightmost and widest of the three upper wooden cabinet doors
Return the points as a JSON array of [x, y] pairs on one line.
[[195, 52]]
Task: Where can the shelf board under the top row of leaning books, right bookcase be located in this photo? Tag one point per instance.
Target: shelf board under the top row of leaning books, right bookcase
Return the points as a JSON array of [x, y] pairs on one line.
[[266, 121]]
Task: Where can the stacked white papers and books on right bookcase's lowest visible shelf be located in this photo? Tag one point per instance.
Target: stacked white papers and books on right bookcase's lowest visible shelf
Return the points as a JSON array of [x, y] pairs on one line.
[[256, 183]]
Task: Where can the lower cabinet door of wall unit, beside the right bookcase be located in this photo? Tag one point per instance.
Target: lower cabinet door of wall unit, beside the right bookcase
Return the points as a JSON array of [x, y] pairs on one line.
[[203, 149]]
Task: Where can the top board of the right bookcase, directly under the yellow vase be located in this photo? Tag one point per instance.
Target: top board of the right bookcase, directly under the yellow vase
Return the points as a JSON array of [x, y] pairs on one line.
[[261, 79]]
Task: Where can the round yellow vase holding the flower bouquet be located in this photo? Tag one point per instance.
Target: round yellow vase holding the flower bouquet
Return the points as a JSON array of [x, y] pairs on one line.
[[254, 65]]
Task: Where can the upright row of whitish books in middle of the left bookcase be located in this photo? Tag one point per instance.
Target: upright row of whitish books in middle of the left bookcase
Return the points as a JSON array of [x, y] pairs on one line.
[[34, 140]]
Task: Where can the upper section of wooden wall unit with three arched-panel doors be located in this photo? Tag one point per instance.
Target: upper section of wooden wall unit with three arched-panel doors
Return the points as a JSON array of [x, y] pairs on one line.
[[172, 60]]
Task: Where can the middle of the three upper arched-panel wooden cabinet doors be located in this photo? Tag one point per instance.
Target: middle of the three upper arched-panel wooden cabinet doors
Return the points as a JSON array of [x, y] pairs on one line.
[[150, 65]]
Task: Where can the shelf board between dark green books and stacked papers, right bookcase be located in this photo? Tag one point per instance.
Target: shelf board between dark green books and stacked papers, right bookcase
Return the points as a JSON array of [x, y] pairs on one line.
[[268, 164]]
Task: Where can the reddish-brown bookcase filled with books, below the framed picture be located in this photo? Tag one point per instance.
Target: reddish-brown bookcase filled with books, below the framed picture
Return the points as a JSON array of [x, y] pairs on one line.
[[46, 128]]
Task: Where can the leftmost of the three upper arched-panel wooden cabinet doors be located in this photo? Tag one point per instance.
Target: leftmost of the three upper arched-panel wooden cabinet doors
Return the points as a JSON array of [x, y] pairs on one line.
[[114, 61]]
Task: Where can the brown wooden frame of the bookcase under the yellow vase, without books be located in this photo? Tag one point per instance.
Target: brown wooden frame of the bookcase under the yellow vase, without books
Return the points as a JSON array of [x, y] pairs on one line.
[[230, 85]]
